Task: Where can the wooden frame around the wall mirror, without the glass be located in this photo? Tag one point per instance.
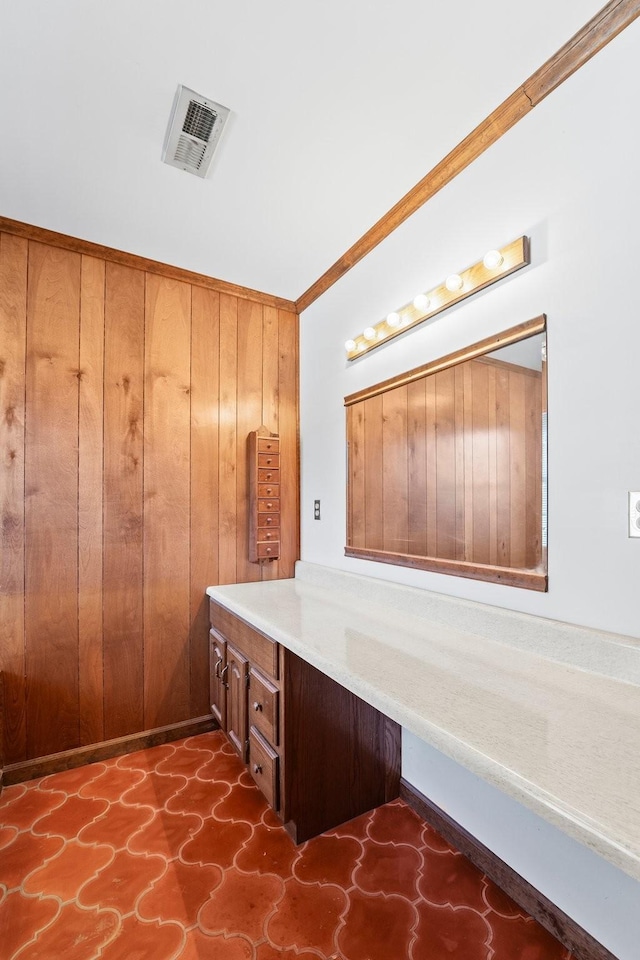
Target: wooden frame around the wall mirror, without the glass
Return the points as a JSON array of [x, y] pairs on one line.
[[528, 578]]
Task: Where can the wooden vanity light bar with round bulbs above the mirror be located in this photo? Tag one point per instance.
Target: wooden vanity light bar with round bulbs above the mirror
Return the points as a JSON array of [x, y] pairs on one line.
[[458, 286]]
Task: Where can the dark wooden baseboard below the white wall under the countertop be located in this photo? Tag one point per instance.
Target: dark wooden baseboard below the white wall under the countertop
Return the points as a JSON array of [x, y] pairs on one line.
[[582, 945]]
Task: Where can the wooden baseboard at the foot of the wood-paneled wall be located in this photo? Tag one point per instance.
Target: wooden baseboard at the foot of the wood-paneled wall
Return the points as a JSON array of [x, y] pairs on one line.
[[55, 762]]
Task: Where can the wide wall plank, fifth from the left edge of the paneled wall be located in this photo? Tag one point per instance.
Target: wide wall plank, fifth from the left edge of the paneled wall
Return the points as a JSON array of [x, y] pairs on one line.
[[167, 421]]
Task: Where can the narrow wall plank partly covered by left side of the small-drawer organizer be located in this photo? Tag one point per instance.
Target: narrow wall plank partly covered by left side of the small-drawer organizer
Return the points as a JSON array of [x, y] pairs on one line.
[[249, 416]]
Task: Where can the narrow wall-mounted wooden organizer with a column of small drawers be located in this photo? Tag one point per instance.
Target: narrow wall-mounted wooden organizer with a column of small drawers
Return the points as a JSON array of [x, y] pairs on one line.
[[264, 495]]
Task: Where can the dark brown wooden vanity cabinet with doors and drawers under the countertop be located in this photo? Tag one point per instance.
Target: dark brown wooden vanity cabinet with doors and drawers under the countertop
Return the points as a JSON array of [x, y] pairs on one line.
[[319, 753]]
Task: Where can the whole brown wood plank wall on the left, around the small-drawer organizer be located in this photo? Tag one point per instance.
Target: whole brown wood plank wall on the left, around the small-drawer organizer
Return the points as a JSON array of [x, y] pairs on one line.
[[126, 398]]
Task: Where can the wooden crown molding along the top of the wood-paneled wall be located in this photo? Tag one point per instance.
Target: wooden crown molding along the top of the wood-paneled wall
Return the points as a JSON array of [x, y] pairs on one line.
[[30, 232]]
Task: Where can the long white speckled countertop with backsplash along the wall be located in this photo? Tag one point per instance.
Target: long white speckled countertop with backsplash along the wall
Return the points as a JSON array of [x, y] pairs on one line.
[[546, 711]]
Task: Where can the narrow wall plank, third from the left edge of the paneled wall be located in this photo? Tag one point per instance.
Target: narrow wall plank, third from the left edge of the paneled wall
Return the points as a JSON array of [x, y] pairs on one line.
[[90, 482]]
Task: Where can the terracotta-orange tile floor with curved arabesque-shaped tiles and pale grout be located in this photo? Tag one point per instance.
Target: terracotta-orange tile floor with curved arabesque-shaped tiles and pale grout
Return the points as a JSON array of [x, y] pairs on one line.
[[172, 854]]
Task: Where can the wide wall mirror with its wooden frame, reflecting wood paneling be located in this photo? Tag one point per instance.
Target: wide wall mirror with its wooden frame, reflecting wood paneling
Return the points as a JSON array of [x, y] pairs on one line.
[[446, 464]]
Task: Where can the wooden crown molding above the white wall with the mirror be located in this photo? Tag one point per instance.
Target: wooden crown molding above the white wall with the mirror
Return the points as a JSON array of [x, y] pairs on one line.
[[614, 17]]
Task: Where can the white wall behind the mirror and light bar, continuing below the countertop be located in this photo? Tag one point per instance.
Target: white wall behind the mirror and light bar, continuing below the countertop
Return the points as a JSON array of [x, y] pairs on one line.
[[566, 176]]
